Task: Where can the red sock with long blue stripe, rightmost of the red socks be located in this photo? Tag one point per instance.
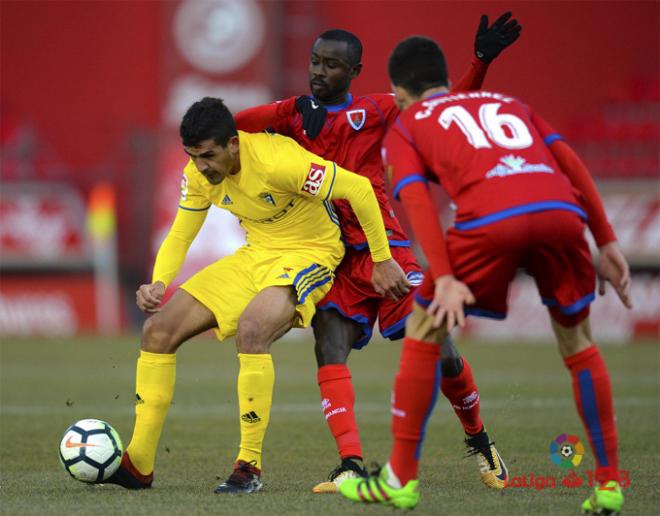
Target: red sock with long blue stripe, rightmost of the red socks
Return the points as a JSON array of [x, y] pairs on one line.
[[593, 396]]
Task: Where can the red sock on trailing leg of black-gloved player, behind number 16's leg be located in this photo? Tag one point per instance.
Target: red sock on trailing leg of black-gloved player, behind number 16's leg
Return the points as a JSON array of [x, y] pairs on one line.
[[463, 395]]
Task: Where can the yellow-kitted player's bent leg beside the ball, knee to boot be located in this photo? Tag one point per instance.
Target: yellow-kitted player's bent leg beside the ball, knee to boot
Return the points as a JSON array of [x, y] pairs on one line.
[[180, 319]]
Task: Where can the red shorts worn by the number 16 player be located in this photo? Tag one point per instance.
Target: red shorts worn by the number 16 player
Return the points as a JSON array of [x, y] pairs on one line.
[[548, 245]]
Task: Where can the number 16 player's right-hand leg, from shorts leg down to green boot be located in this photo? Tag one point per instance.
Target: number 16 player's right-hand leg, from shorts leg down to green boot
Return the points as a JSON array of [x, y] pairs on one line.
[[562, 267]]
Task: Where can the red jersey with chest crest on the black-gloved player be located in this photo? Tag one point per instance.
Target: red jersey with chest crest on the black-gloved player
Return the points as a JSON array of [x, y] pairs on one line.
[[352, 138]]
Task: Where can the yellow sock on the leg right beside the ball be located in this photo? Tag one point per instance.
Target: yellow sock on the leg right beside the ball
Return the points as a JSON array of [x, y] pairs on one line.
[[154, 388]]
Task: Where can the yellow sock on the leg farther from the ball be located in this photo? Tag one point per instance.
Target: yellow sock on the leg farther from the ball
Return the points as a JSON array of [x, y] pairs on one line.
[[256, 379]]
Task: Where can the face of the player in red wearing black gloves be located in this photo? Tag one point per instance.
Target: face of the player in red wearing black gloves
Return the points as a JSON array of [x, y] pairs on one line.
[[330, 72]]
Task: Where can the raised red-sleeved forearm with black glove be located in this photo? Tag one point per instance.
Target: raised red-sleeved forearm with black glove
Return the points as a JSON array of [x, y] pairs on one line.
[[489, 42]]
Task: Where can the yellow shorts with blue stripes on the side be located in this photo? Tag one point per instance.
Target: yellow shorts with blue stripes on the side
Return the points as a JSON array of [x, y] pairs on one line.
[[227, 286]]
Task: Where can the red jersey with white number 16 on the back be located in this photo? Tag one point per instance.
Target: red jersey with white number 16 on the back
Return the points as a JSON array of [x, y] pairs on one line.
[[487, 153]]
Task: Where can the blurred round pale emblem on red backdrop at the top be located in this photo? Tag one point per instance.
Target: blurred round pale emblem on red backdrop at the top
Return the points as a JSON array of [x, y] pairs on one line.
[[218, 36]]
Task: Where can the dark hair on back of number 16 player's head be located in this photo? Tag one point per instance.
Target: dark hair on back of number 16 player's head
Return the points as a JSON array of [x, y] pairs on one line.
[[417, 64]]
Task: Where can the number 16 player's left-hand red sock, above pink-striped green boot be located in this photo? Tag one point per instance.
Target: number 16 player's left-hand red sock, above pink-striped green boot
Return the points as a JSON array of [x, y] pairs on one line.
[[415, 392]]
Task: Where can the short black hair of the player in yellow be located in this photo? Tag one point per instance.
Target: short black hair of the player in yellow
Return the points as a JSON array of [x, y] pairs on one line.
[[207, 119]]
